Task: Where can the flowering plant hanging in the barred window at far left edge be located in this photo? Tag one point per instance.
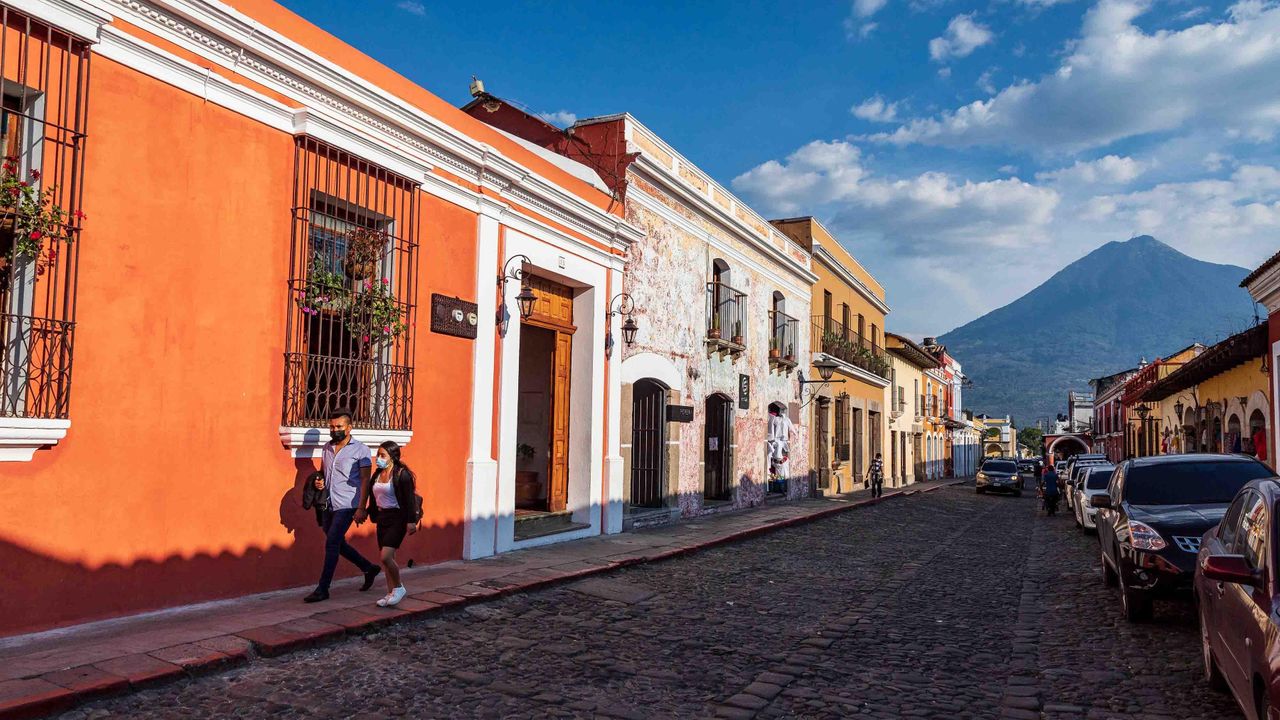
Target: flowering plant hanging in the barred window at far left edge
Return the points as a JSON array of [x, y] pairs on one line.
[[38, 224]]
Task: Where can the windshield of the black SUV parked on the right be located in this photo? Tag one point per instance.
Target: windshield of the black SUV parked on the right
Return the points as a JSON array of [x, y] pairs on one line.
[[1201, 482]]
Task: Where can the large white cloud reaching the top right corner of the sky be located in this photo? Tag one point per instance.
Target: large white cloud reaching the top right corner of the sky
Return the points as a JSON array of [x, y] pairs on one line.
[[1119, 81]]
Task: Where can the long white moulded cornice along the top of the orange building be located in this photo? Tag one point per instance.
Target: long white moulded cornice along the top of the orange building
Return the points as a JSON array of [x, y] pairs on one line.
[[235, 42]]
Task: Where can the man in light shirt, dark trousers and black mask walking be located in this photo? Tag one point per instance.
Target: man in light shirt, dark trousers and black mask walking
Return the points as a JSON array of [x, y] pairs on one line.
[[346, 463]]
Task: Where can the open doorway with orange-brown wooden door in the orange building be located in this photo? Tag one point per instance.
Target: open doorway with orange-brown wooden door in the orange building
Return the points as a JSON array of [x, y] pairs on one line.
[[542, 426]]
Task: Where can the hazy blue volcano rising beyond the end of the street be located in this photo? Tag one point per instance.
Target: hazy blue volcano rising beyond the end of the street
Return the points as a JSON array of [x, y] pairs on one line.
[[1098, 316]]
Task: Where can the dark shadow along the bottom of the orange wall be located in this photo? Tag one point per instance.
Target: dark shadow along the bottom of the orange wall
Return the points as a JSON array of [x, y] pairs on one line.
[[43, 593]]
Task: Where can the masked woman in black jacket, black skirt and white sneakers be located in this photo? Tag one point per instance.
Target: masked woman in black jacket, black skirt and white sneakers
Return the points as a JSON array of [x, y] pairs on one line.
[[397, 512]]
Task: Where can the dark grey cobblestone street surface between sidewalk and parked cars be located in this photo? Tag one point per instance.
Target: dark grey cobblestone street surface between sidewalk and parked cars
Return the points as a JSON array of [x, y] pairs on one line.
[[940, 605]]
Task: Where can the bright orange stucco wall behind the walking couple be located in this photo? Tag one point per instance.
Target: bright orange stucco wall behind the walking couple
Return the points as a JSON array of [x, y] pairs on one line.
[[172, 485]]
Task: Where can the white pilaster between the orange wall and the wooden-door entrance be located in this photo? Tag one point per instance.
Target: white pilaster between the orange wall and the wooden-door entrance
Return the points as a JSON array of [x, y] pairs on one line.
[[479, 535]]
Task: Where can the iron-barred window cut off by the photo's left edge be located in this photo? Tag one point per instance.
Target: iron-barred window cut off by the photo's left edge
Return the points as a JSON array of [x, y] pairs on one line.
[[43, 107]]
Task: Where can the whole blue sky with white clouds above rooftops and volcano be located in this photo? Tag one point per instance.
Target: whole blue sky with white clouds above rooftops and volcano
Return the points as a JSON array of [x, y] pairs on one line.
[[963, 152]]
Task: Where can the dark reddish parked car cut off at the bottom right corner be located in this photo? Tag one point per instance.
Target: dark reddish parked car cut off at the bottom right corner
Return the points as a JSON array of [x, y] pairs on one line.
[[1236, 586]]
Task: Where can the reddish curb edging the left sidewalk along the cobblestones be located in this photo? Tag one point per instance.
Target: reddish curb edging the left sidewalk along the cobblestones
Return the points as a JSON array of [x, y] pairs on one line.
[[63, 690]]
